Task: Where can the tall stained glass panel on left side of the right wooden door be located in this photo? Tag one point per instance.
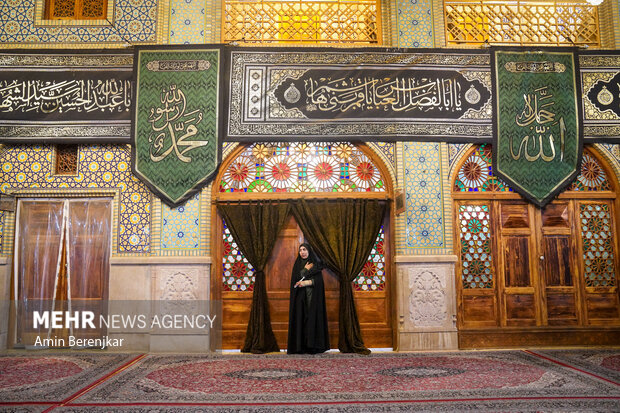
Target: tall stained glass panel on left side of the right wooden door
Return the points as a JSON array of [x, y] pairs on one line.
[[475, 234]]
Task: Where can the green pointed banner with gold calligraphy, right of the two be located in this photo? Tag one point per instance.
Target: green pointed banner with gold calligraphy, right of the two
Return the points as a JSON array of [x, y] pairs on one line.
[[536, 120]]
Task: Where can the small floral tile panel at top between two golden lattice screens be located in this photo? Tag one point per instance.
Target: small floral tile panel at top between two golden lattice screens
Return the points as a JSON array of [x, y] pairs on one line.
[[415, 23]]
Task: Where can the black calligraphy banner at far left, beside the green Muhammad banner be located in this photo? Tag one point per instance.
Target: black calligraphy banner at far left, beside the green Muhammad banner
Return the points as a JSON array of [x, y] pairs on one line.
[[61, 96]]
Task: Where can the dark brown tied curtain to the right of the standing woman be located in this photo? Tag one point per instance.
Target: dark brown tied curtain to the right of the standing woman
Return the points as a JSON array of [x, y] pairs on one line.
[[343, 232]]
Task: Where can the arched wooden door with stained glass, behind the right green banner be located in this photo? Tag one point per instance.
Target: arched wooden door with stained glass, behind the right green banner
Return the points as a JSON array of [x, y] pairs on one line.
[[528, 276]]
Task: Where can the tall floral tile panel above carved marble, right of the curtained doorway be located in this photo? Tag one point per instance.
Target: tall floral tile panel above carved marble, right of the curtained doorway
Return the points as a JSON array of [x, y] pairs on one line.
[[423, 195]]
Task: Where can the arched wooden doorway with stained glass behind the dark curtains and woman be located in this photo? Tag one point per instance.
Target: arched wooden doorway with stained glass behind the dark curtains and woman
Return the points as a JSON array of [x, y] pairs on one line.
[[289, 171]]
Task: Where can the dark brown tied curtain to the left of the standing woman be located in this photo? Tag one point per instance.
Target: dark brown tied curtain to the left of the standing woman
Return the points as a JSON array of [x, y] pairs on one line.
[[255, 227]]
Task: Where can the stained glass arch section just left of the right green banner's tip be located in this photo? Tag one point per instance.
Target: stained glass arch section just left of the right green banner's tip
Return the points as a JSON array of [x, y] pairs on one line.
[[476, 173]]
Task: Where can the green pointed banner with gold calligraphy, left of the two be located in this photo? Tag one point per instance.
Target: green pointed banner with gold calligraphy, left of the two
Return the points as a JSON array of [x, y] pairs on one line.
[[177, 119]]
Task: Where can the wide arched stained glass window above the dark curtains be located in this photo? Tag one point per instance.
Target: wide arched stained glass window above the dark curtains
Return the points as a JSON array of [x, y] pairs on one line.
[[302, 167]]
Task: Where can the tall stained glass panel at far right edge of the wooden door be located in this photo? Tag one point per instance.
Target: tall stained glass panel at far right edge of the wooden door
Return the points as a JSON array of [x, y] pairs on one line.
[[598, 250]]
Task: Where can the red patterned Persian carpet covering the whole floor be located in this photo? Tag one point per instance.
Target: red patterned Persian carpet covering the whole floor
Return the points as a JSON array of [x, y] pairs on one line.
[[512, 381]]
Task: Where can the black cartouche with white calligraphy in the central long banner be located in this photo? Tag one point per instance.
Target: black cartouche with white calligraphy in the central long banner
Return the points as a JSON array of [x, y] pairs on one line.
[[377, 93]]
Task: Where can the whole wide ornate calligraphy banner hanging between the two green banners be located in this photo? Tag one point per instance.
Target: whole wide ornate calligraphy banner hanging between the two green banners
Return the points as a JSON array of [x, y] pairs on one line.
[[370, 94]]
